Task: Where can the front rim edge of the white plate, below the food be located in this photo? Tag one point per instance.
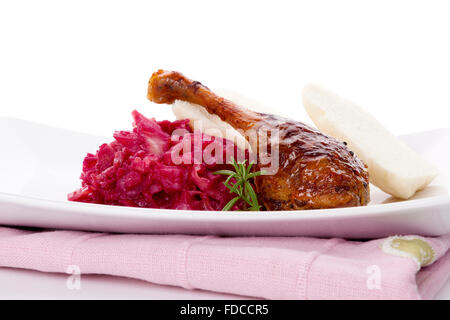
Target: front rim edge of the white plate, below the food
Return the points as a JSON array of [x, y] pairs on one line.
[[207, 215]]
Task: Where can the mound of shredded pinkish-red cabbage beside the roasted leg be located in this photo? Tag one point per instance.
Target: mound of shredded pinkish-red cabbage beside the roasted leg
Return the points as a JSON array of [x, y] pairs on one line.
[[150, 167]]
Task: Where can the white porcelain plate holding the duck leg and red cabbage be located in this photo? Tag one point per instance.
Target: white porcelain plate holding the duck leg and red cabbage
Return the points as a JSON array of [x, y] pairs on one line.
[[39, 165]]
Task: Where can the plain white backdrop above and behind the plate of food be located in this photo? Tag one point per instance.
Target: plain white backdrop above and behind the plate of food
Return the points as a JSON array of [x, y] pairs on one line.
[[84, 65]]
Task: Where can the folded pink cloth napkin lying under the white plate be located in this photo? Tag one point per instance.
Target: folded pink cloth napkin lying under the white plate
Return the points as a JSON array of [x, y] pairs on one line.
[[264, 267]]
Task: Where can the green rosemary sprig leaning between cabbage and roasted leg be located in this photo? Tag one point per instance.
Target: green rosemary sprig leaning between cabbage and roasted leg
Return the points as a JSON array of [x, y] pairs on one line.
[[242, 186]]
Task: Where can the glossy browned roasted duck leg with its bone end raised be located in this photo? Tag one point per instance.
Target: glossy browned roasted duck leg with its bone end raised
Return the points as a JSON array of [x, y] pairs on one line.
[[315, 171]]
